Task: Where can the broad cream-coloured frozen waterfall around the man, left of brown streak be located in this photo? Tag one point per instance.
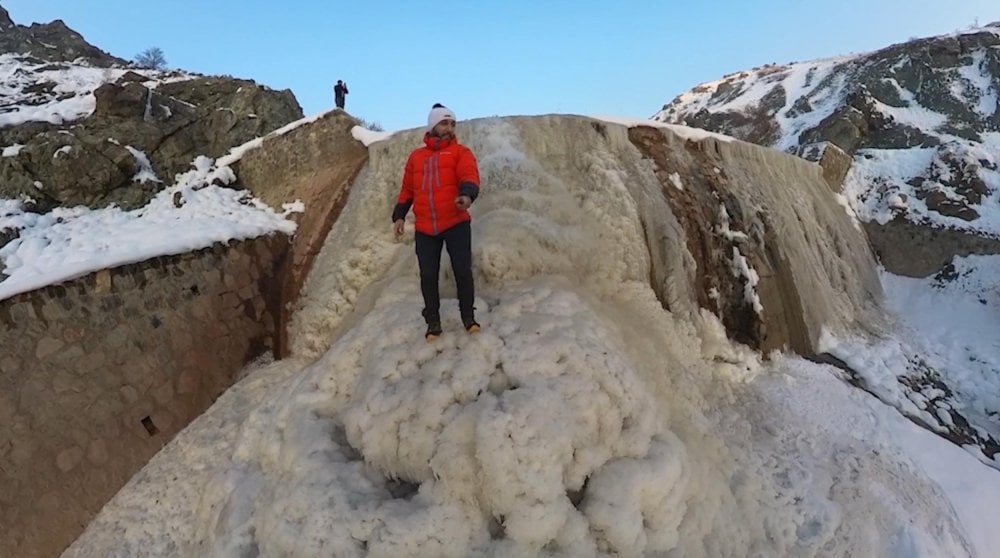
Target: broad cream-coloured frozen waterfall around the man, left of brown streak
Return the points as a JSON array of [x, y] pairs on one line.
[[584, 420]]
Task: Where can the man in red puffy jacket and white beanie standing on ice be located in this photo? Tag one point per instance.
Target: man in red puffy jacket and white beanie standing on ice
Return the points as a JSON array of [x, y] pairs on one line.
[[440, 182]]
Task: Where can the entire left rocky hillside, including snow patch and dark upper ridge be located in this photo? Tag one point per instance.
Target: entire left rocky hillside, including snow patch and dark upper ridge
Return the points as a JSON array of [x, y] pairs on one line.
[[143, 121]]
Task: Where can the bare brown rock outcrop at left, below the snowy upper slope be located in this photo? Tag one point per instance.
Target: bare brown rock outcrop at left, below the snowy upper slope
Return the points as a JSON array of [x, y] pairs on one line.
[[89, 162]]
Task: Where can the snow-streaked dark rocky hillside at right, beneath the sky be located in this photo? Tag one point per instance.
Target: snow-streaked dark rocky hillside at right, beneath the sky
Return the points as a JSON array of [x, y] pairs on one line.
[[920, 120]]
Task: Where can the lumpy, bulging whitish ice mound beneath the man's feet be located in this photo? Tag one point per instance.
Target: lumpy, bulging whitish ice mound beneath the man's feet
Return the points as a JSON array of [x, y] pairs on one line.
[[535, 434]]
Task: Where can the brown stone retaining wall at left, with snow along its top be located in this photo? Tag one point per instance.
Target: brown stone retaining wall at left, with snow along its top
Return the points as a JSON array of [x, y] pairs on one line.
[[98, 373]]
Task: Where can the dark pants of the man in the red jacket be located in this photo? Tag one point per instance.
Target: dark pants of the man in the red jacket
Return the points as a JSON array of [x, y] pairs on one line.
[[459, 242]]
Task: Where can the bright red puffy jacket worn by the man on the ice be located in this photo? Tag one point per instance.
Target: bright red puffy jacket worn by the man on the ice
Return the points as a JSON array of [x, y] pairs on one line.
[[435, 175]]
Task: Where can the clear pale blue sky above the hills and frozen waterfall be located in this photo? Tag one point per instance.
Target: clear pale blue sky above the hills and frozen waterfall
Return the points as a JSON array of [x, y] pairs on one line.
[[493, 57]]
